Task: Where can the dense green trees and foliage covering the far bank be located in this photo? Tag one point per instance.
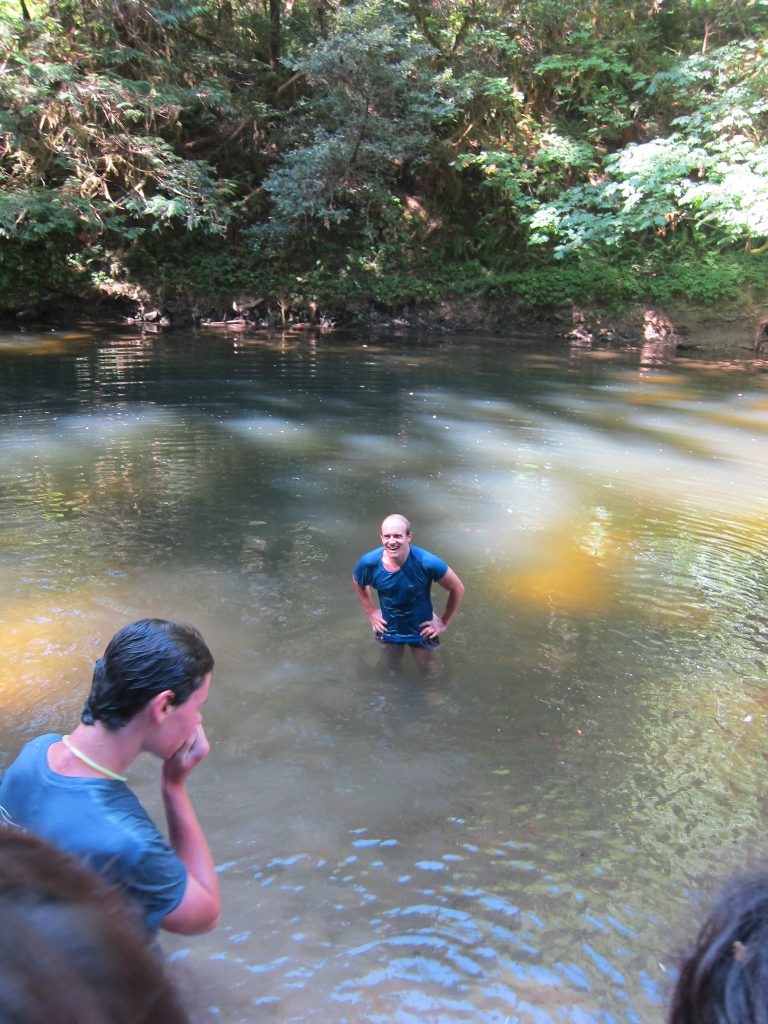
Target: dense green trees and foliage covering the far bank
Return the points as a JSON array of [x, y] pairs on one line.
[[327, 153]]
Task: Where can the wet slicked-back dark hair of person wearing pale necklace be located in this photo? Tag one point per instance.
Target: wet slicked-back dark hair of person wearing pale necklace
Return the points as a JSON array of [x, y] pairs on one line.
[[143, 660]]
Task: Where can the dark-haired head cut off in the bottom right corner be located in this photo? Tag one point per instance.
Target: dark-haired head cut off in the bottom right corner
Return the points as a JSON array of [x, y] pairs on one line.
[[724, 978]]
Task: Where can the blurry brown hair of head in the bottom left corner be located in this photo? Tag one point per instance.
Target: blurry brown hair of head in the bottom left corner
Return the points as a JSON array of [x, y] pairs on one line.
[[73, 951]]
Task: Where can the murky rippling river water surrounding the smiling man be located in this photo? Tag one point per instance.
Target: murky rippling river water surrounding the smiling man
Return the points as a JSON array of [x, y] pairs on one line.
[[530, 834]]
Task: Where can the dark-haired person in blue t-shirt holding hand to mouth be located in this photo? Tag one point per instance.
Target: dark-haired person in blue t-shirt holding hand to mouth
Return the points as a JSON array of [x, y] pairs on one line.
[[147, 697]]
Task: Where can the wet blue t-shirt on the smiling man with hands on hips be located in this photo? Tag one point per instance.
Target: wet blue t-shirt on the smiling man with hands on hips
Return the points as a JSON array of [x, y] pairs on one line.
[[404, 596]]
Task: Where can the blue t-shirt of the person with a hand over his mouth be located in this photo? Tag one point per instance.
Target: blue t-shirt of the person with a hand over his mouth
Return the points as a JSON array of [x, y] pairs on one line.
[[101, 823]]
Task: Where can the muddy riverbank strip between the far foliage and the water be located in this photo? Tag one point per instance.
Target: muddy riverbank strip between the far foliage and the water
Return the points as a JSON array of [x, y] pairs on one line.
[[739, 331]]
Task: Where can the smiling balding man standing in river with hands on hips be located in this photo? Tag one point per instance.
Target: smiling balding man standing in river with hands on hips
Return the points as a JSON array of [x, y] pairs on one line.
[[403, 576]]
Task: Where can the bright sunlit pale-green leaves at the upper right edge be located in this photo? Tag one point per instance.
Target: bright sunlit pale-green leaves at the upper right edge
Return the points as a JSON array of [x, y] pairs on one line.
[[710, 174]]
